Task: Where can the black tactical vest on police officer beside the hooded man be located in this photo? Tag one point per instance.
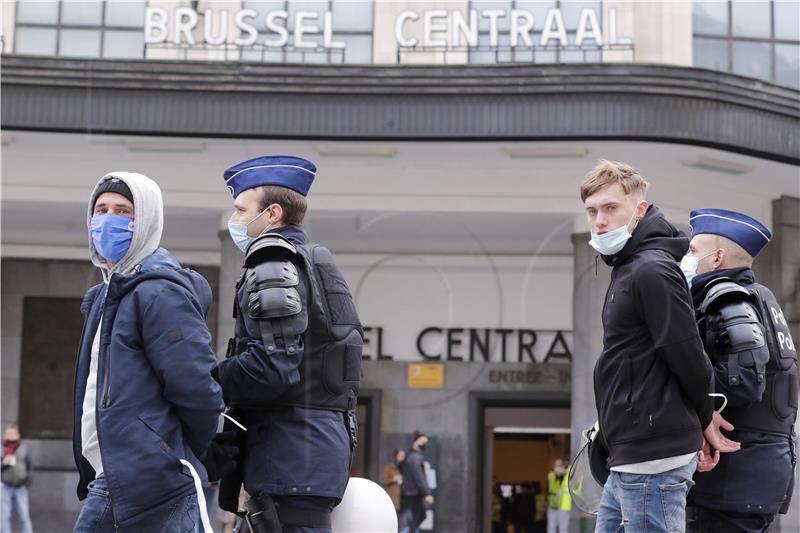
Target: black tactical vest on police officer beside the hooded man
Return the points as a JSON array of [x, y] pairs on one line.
[[330, 371]]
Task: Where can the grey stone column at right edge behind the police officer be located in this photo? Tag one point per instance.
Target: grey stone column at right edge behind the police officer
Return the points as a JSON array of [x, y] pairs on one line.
[[778, 267]]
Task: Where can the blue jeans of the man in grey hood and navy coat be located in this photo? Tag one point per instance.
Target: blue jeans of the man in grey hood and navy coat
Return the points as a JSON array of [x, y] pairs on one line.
[[97, 515]]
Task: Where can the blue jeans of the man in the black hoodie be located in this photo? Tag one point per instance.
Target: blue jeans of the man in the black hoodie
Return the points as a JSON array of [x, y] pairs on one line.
[[638, 503]]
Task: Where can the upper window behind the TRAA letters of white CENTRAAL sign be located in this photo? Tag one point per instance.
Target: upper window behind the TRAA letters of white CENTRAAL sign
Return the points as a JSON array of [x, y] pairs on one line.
[[570, 10]]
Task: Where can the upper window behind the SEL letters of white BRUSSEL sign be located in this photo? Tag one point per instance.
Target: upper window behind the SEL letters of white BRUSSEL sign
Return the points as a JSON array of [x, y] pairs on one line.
[[352, 25]]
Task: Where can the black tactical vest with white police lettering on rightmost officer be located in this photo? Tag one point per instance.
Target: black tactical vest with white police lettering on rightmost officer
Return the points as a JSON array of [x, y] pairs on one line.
[[777, 410]]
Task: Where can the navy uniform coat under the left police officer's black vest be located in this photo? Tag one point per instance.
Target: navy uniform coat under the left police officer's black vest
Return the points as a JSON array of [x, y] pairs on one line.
[[290, 450]]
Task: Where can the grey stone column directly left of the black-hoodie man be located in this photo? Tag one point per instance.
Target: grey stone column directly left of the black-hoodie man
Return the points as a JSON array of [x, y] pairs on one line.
[[591, 281]]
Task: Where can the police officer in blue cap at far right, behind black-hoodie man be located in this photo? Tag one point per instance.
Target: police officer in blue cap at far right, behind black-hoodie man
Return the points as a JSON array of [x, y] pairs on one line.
[[755, 366]]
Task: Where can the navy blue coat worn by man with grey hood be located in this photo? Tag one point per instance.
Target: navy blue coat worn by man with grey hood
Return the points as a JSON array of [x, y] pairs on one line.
[[156, 400]]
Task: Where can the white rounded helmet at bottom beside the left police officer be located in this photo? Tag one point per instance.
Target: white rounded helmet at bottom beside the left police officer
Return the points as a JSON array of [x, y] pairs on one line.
[[365, 508]]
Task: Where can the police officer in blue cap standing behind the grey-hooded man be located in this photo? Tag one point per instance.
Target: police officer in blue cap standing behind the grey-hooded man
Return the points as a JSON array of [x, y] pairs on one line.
[[292, 370]]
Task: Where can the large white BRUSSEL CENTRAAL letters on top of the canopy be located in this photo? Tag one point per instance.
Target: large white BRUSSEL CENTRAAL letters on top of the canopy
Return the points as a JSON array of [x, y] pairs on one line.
[[313, 30]]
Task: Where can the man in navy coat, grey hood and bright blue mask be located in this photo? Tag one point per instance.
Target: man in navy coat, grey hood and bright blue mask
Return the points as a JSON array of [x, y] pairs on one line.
[[146, 407]]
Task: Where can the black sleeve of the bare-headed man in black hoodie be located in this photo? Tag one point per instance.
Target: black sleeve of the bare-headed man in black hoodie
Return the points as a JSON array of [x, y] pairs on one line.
[[666, 306]]
